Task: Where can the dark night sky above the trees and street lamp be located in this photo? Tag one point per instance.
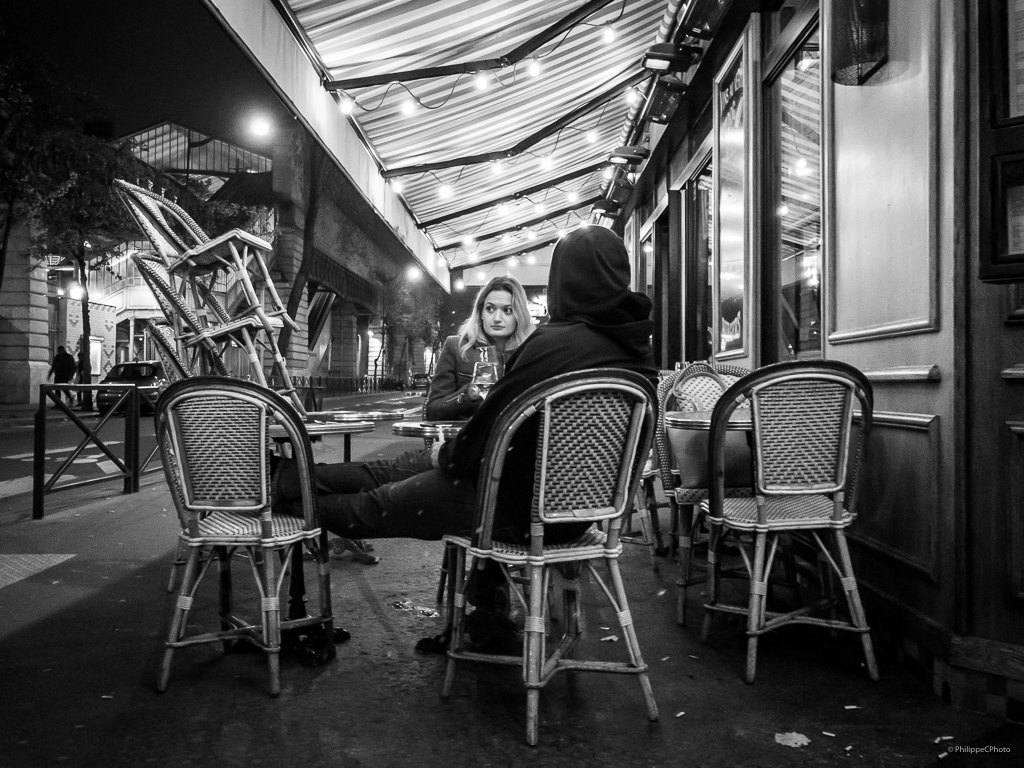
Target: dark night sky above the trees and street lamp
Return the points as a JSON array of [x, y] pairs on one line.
[[149, 62]]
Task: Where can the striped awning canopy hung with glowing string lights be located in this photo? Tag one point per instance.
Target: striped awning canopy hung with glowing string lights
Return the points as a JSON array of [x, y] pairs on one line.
[[496, 146]]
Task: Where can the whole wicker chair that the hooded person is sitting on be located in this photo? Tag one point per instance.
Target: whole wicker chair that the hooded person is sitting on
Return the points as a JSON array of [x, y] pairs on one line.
[[594, 435]]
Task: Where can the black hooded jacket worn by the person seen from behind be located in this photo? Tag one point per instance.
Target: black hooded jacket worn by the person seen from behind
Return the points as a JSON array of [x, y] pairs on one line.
[[595, 322]]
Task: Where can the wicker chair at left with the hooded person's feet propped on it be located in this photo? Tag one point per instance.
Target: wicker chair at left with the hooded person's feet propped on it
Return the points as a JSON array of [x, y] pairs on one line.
[[215, 437]]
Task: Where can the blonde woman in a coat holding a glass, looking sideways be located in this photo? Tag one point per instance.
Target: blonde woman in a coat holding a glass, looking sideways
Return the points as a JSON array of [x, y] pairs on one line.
[[474, 360]]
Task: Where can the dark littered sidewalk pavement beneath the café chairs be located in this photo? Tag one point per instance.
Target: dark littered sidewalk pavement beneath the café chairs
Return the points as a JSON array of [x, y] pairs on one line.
[[86, 611]]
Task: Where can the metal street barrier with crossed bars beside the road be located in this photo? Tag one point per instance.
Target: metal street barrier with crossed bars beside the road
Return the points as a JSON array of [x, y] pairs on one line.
[[130, 467]]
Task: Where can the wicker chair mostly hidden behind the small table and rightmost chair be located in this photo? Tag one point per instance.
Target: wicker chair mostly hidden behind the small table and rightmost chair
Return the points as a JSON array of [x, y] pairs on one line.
[[682, 466]]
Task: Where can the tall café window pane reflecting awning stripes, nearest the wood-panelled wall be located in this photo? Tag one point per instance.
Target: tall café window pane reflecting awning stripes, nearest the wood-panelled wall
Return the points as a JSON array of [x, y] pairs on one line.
[[793, 216]]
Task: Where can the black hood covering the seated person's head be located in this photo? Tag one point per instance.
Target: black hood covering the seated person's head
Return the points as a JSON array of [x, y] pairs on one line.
[[589, 282]]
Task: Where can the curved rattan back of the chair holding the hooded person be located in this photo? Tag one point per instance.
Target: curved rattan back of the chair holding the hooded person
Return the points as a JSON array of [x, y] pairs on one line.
[[595, 430]]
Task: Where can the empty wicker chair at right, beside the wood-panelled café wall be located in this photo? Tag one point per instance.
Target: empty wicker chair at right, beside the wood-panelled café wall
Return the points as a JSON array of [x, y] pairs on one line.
[[806, 451]]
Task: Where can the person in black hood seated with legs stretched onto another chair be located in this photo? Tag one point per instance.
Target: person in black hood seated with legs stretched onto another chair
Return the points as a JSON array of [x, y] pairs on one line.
[[596, 322]]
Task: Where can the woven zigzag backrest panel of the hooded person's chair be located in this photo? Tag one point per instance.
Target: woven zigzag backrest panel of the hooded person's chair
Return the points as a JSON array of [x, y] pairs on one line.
[[569, 460]]
